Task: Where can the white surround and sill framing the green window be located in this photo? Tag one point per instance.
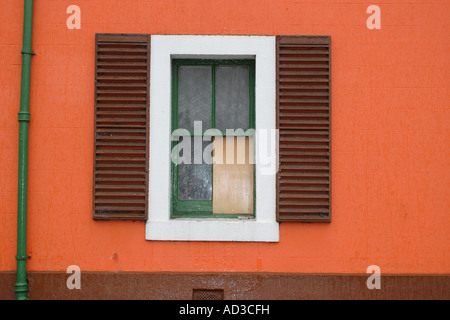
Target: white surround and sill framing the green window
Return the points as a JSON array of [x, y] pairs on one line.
[[160, 226]]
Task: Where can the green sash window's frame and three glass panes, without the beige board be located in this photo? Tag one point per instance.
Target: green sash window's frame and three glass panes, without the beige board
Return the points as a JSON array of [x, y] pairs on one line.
[[220, 94]]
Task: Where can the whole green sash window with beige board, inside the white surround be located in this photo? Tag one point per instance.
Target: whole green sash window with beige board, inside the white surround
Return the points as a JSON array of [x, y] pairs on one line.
[[213, 104]]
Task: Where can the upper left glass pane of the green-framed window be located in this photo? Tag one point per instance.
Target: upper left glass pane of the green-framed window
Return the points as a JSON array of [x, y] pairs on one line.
[[194, 96]]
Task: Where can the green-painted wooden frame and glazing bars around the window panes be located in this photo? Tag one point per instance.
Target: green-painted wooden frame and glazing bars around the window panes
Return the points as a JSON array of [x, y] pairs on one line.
[[204, 208]]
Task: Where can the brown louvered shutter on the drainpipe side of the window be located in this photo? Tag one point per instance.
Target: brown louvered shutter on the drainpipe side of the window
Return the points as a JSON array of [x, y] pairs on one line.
[[121, 148]]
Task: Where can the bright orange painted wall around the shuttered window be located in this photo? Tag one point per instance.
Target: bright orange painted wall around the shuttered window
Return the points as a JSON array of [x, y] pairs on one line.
[[390, 99]]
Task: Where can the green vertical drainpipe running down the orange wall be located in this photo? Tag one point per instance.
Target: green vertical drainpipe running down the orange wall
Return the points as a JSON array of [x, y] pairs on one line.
[[21, 286]]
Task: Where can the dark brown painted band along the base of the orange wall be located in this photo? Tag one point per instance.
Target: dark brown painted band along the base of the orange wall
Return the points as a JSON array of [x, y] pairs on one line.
[[235, 286]]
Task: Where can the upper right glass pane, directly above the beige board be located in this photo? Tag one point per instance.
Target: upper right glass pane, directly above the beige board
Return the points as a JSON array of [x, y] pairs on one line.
[[232, 97]]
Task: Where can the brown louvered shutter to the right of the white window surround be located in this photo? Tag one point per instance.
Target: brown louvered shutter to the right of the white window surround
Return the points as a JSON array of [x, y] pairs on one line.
[[304, 118]]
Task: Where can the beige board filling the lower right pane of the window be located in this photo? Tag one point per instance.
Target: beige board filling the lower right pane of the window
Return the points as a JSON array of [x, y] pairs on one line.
[[233, 175]]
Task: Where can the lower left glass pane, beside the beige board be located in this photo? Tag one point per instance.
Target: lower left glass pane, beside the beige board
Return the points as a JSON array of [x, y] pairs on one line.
[[195, 179]]
